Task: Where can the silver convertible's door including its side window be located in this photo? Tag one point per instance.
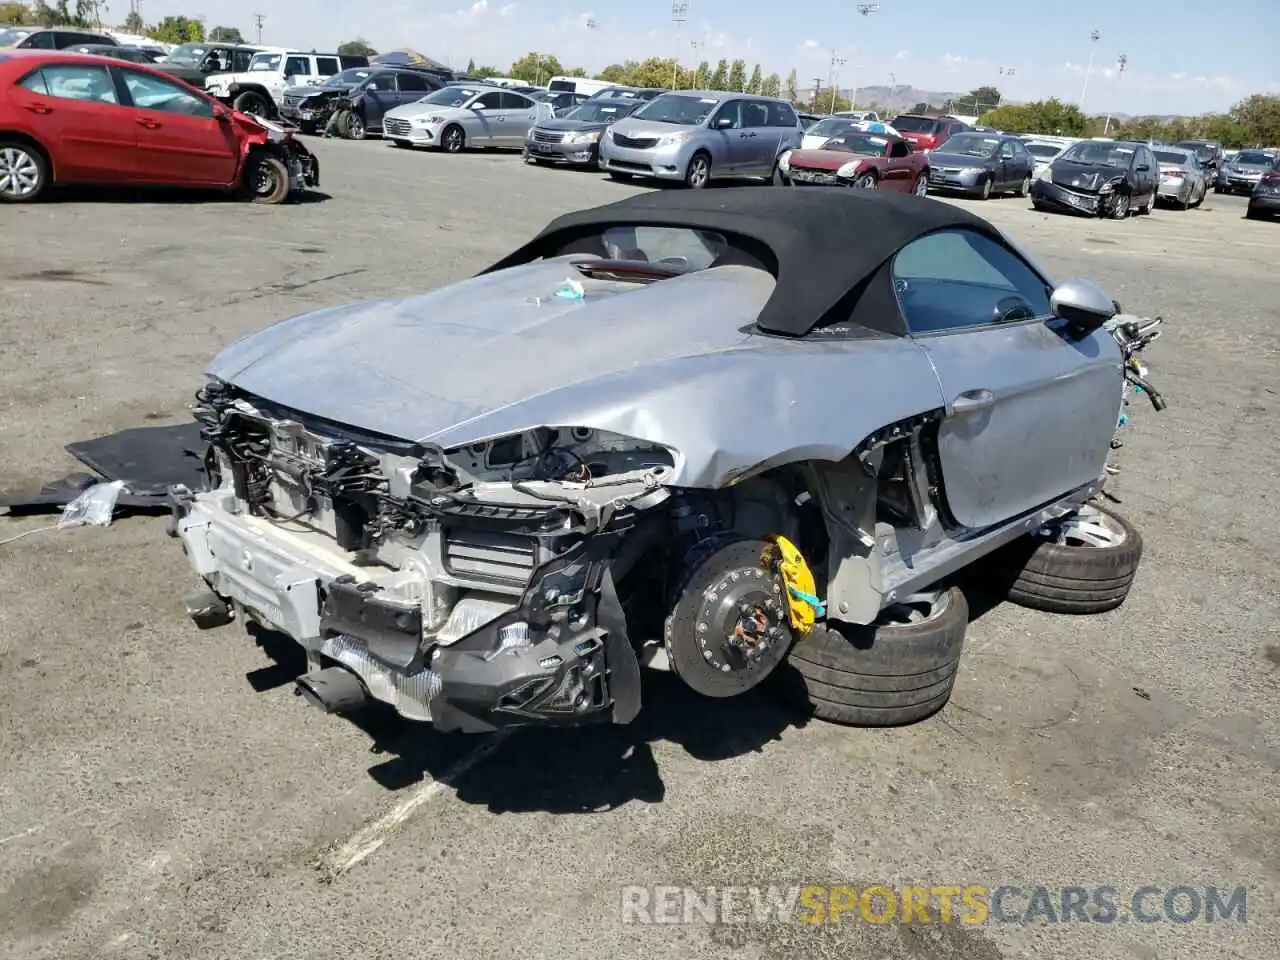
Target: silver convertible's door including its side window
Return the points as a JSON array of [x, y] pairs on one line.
[[1030, 414]]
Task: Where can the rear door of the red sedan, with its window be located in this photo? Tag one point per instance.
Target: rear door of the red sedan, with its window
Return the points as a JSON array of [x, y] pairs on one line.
[[76, 112]]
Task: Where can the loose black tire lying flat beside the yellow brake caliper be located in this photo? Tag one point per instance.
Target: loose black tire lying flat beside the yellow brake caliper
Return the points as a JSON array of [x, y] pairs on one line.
[[879, 676]]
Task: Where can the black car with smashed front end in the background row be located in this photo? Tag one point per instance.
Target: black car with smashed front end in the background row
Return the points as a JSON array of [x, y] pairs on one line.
[[1101, 179]]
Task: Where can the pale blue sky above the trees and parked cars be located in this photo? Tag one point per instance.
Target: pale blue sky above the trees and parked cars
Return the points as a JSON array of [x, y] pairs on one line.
[[1182, 58]]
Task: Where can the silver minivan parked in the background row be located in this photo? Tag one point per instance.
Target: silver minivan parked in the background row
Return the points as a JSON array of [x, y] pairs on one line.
[[702, 136]]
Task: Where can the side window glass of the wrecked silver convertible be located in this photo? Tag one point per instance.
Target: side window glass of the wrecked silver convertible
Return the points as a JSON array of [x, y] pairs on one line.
[[959, 280]]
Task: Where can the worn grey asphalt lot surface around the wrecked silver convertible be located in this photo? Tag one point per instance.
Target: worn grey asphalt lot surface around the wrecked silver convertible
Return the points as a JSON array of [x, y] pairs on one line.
[[163, 794]]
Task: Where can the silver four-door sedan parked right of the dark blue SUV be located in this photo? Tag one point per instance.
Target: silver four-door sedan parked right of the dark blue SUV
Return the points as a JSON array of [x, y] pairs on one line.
[[460, 117]]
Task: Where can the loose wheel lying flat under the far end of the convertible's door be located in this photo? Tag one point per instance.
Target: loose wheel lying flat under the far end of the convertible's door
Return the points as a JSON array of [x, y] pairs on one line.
[[1069, 579]]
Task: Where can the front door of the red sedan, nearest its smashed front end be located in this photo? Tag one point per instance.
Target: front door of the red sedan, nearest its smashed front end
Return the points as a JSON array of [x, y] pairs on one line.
[[180, 139]]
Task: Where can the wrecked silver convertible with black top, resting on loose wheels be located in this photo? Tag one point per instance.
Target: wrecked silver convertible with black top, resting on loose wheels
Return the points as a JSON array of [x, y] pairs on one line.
[[500, 541]]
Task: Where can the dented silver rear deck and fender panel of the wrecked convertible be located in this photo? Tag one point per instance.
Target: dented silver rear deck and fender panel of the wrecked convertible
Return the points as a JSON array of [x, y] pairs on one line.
[[673, 363]]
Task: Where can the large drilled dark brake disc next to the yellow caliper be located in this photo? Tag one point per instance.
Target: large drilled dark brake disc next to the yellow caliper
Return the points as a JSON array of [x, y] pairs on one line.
[[724, 580]]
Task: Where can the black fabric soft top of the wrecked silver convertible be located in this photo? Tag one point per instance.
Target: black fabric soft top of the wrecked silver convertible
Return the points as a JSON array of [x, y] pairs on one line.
[[824, 243]]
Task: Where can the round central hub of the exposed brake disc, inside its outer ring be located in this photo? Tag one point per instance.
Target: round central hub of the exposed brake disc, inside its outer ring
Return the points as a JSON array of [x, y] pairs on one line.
[[740, 620]]
